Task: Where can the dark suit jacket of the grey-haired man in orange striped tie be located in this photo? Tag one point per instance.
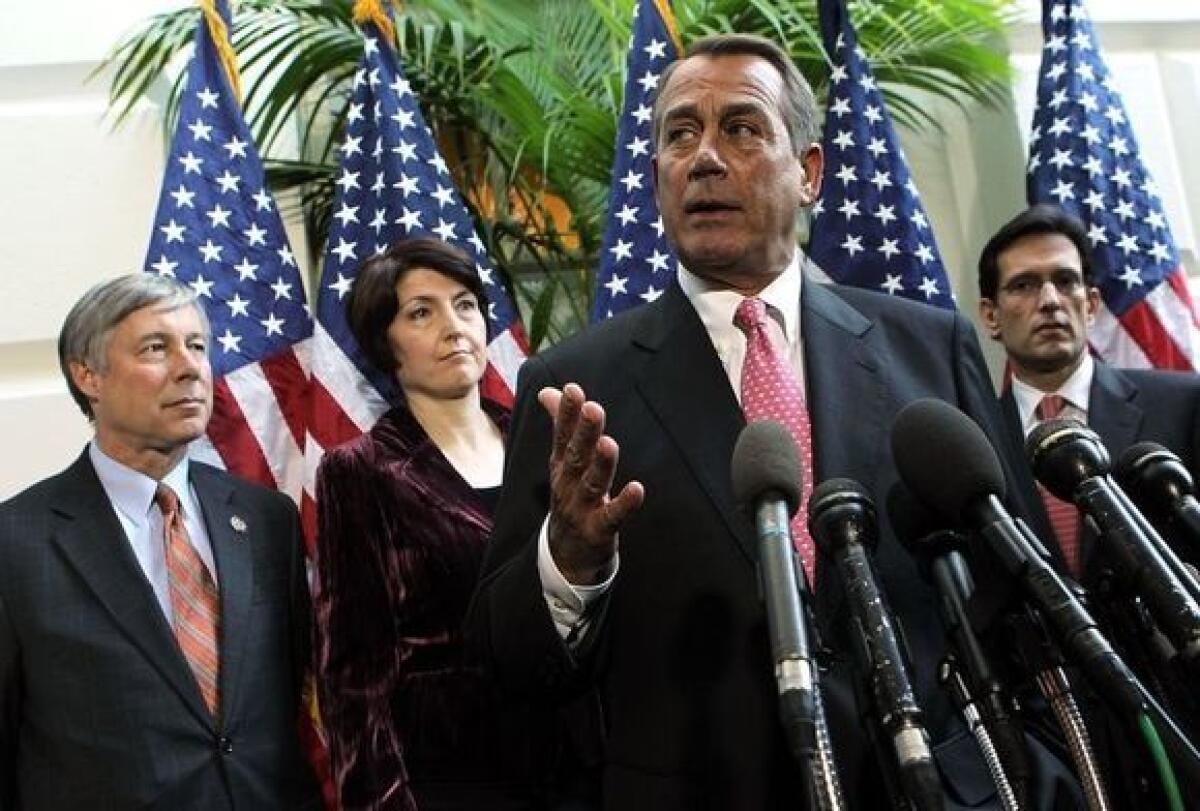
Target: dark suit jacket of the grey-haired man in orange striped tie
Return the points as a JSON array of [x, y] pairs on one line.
[[98, 706]]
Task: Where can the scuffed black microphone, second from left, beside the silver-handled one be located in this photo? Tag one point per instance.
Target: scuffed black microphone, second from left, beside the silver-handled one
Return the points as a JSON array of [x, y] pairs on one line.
[[842, 519]]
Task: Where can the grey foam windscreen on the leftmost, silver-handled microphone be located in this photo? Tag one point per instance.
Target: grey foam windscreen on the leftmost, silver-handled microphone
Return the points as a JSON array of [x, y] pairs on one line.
[[766, 460]]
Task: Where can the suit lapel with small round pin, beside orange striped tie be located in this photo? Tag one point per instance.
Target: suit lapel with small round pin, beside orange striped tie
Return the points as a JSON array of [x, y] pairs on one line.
[[232, 533]]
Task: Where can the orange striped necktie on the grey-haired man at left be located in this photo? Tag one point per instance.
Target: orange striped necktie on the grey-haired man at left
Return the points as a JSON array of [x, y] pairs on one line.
[[195, 600]]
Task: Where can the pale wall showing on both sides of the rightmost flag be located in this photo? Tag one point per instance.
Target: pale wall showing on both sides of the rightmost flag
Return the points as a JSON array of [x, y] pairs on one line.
[[973, 172]]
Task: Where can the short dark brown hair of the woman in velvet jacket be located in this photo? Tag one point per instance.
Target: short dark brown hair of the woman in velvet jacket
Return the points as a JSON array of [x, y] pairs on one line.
[[373, 304]]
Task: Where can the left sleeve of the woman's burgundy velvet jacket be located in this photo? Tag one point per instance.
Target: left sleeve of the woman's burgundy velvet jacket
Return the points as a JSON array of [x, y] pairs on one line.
[[361, 653]]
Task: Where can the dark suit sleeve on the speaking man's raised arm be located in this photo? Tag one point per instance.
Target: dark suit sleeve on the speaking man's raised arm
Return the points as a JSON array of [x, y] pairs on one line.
[[509, 622]]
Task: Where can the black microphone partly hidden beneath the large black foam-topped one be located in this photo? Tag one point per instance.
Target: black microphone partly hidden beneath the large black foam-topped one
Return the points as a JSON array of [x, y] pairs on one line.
[[939, 555]]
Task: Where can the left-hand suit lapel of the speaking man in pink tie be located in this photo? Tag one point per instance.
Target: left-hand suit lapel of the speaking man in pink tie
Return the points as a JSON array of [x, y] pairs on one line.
[[688, 391]]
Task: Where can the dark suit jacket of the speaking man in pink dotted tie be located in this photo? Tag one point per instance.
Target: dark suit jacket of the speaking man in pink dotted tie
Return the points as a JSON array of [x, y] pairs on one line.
[[681, 656]]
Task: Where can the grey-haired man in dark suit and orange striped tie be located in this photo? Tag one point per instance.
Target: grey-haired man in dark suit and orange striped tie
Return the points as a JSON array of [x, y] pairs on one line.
[[154, 616]]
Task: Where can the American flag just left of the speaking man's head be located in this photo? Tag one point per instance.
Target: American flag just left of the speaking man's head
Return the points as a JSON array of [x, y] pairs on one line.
[[637, 262]]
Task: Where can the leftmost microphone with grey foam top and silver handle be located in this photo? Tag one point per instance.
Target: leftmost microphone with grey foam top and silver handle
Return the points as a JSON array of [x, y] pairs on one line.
[[766, 473]]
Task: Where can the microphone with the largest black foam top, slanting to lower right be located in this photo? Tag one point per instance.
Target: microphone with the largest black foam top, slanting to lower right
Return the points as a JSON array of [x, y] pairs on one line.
[[929, 437]]
